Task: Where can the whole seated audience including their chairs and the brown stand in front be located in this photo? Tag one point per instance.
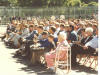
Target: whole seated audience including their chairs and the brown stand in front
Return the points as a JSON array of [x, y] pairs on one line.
[[55, 42]]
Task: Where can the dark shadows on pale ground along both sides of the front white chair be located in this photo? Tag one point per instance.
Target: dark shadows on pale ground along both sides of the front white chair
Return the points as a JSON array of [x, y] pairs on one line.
[[41, 70]]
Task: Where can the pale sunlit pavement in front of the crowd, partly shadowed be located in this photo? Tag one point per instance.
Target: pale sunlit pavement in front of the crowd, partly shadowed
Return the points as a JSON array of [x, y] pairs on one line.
[[10, 65]]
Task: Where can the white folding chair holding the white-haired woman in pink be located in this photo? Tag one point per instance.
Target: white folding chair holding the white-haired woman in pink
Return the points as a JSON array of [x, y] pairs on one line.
[[65, 62]]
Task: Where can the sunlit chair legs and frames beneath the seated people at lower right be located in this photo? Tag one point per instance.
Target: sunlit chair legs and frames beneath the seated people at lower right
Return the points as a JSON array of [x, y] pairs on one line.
[[89, 60]]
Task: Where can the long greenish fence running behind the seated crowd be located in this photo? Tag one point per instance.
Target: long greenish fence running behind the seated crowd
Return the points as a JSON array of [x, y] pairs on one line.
[[72, 12]]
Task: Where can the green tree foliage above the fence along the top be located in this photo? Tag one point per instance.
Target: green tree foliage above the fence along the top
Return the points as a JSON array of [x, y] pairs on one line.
[[48, 3]]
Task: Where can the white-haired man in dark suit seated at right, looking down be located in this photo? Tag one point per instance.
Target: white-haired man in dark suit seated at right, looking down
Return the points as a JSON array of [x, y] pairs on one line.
[[78, 48]]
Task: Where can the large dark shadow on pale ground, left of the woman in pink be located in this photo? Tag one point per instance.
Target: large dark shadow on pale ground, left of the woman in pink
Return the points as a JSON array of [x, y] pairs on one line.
[[37, 68]]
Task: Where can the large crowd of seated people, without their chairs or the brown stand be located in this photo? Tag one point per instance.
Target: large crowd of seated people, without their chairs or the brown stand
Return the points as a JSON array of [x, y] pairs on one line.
[[81, 35]]
